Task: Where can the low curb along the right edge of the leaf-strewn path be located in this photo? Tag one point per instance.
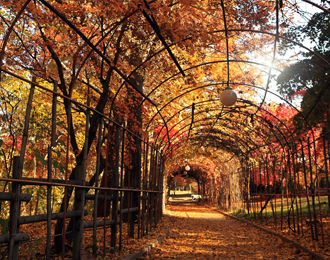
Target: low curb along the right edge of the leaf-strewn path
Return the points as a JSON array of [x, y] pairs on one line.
[[314, 254]]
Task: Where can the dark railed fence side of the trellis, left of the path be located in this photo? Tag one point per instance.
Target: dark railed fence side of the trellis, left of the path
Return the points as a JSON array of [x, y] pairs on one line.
[[144, 198]]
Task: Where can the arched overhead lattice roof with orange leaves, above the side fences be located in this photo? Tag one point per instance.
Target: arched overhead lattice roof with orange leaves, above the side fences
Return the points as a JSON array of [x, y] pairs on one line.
[[178, 56]]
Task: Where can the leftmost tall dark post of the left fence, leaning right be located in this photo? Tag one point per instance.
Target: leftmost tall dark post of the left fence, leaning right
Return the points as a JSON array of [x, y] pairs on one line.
[[15, 212]]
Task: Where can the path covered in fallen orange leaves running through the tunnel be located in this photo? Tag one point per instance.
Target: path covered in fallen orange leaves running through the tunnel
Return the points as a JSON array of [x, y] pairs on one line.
[[197, 232]]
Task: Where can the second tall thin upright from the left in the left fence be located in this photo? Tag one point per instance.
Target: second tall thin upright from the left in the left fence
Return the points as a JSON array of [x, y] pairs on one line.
[[49, 177]]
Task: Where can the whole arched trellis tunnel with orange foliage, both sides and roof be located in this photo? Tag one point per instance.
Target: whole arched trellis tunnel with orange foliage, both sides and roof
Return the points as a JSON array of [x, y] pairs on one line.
[[135, 97]]
